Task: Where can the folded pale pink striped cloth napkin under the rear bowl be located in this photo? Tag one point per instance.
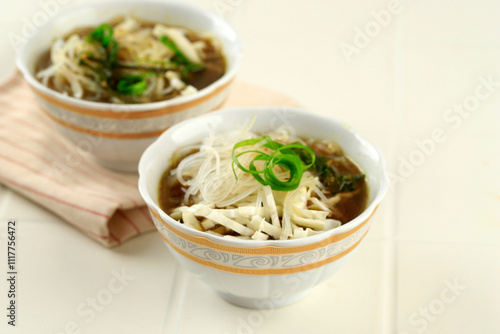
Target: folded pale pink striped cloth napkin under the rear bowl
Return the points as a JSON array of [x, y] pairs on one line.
[[40, 164]]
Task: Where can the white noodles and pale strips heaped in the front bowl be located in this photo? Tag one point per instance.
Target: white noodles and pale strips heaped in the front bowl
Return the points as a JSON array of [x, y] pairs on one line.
[[243, 205]]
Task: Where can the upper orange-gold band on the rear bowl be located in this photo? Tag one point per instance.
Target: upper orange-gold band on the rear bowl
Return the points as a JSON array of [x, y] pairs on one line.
[[124, 115]]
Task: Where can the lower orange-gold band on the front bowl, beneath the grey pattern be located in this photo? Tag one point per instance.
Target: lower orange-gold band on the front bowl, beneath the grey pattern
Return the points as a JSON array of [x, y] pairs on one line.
[[267, 271]]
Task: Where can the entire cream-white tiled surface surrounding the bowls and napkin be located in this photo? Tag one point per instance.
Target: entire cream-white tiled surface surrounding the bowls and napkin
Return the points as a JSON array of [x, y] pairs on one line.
[[440, 223]]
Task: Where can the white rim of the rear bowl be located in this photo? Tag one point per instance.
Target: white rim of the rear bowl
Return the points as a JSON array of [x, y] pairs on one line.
[[138, 107]]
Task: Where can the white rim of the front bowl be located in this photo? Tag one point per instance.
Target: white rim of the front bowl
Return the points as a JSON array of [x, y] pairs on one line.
[[145, 161]]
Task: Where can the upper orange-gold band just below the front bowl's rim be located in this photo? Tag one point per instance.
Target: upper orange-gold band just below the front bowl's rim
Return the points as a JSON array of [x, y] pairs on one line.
[[265, 250]]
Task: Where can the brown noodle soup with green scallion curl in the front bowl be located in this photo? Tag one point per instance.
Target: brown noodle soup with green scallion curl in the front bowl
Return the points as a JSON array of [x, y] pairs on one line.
[[268, 186]]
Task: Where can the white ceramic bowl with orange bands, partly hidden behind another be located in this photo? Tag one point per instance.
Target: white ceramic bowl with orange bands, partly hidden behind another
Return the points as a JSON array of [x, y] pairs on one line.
[[116, 135]]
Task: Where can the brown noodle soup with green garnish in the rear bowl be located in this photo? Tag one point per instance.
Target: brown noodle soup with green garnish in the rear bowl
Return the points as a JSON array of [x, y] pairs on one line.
[[130, 61]]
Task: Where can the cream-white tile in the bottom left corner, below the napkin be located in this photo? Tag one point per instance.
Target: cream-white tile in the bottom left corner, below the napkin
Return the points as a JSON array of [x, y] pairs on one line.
[[75, 281]]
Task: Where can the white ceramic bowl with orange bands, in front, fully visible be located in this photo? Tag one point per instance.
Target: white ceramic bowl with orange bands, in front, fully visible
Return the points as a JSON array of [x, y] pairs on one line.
[[270, 273]]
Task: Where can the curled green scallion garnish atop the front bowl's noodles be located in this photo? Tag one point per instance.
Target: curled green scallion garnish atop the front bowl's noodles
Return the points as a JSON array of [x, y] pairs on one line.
[[281, 155]]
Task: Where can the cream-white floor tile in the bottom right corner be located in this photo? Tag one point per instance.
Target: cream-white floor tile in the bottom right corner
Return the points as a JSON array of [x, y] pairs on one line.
[[448, 287]]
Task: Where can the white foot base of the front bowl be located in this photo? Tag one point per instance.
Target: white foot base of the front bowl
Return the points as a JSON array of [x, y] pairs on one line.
[[266, 303]]
